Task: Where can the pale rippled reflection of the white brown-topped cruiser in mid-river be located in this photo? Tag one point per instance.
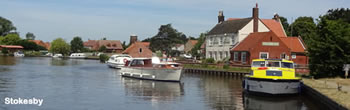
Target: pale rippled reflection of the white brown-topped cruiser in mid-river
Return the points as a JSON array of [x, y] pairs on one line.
[[152, 90]]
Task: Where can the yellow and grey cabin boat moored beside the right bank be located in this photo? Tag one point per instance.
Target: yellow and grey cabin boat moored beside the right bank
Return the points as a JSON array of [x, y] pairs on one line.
[[272, 76]]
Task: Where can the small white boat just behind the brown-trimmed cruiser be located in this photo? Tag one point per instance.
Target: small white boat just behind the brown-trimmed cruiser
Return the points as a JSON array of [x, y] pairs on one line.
[[118, 60]]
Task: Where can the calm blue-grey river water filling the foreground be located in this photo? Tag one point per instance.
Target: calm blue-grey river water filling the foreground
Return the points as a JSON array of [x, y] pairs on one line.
[[76, 84]]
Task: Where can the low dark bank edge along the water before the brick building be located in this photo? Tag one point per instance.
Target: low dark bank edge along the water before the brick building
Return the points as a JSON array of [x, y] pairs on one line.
[[218, 68]]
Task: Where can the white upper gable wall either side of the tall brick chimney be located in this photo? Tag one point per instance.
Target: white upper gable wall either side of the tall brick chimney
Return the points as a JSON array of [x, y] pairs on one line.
[[246, 30]]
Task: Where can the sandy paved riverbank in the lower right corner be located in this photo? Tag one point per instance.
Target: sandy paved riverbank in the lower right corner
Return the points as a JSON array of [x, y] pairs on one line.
[[337, 89]]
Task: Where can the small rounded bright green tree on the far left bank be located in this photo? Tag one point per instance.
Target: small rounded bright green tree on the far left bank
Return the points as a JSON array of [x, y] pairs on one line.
[[60, 46]]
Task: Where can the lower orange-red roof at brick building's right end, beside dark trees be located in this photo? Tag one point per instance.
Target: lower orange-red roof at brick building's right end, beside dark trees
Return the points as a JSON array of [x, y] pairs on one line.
[[294, 43]]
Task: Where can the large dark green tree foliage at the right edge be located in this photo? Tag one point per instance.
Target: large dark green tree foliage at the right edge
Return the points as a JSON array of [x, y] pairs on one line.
[[329, 50]]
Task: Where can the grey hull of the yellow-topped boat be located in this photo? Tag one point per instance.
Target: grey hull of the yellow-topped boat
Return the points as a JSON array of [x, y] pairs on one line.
[[270, 86]]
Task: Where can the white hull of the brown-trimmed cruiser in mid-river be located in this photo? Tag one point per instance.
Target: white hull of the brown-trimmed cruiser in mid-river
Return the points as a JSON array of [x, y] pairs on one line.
[[158, 74]]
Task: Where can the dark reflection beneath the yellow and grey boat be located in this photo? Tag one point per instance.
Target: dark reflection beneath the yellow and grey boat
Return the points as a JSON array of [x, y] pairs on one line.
[[272, 103]]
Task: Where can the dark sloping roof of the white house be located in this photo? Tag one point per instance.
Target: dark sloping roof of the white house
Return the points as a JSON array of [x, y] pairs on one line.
[[229, 26]]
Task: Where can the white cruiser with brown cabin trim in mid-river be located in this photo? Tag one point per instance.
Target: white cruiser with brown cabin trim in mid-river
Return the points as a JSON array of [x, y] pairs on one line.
[[152, 69]]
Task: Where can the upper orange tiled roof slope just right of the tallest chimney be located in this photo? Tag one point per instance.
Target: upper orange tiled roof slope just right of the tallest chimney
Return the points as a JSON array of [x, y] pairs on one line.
[[274, 26]]
